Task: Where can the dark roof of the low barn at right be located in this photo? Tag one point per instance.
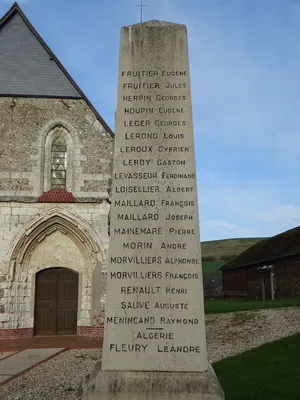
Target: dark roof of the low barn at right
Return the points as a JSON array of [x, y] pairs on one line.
[[283, 245]]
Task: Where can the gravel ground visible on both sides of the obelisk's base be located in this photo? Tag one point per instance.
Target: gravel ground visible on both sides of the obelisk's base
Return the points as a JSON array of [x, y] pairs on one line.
[[227, 335]]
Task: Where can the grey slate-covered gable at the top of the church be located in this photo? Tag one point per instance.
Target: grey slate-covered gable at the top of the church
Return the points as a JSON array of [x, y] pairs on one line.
[[28, 67]]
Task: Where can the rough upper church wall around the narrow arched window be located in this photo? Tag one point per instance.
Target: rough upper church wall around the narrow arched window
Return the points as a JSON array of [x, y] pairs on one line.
[[26, 128]]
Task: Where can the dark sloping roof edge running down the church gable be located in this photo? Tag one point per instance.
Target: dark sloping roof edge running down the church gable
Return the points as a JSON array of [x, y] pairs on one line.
[[16, 8]]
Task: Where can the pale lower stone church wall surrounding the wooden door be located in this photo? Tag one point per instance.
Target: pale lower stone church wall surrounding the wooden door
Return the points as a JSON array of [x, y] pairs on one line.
[[54, 249]]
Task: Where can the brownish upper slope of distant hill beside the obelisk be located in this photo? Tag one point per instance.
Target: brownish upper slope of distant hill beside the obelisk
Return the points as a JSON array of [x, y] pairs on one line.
[[224, 250]]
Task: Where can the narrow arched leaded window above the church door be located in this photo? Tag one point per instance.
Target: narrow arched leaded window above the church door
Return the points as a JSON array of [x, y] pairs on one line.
[[58, 163]]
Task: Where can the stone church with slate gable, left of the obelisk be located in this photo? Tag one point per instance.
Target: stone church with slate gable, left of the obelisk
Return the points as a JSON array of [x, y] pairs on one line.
[[56, 157]]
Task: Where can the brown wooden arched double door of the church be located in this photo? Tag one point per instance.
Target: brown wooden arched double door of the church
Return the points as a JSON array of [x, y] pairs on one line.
[[56, 302]]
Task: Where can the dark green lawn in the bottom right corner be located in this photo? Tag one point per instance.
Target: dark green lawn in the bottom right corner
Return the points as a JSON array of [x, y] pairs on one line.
[[269, 372]]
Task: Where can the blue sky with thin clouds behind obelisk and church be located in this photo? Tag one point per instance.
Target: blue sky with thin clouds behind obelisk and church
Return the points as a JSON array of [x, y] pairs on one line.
[[245, 79]]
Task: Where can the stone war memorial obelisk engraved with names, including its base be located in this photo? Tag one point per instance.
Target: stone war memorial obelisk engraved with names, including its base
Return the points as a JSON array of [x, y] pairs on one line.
[[154, 339]]
